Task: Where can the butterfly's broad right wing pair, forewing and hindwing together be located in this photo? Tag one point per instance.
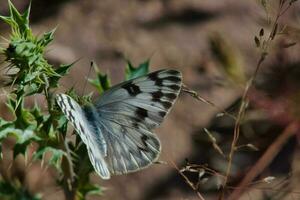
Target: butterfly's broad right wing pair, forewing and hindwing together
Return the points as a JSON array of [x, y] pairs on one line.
[[129, 111]]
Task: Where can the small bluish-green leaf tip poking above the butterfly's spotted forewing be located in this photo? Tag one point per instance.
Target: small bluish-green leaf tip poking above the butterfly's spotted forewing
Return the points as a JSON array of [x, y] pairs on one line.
[[134, 72]]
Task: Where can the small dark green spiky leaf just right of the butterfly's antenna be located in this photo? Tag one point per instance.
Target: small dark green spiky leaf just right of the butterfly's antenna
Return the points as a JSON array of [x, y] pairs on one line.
[[101, 82]]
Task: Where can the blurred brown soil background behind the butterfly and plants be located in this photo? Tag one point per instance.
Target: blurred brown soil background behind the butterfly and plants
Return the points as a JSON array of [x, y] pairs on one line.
[[212, 43]]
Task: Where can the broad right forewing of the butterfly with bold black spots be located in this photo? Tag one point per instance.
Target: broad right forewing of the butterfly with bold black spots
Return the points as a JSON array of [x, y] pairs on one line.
[[147, 98]]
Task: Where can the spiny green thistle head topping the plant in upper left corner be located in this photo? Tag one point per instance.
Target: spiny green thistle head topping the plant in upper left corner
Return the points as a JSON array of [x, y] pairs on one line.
[[25, 53]]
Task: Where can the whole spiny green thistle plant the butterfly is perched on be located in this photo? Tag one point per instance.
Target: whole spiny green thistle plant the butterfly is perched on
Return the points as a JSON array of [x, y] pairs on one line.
[[30, 74]]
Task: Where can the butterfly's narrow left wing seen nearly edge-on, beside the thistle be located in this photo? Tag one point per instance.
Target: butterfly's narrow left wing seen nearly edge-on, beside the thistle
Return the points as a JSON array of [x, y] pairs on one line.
[[80, 119]]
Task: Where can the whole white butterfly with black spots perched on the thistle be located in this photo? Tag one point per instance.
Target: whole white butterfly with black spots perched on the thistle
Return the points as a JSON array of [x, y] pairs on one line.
[[117, 128]]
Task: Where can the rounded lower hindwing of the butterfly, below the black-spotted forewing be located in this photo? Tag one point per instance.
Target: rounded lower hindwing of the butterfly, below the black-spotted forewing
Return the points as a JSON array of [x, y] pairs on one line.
[[129, 149]]
